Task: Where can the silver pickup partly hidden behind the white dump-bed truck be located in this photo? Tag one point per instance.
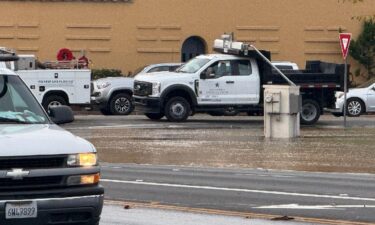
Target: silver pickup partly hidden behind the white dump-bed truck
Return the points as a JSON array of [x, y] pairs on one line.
[[114, 94]]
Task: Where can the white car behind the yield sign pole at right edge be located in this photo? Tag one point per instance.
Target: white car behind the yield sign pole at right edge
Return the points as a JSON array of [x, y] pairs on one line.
[[359, 100]]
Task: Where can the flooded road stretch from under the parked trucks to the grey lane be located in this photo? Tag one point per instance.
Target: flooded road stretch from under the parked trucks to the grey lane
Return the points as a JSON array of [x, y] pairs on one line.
[[231, 142]]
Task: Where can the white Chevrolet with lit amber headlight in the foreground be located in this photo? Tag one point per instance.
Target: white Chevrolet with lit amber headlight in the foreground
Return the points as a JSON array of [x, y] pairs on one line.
[[47, 175]]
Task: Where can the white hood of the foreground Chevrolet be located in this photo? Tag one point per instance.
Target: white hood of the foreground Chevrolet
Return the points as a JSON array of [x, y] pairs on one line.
[[45, 139]]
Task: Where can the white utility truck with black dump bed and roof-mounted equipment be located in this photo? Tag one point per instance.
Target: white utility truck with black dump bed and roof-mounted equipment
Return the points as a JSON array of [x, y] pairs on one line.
[[232, 81]]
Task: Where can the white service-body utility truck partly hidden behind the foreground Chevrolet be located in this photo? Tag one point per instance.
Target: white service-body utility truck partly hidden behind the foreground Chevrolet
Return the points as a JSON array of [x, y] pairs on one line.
[[52, 83]]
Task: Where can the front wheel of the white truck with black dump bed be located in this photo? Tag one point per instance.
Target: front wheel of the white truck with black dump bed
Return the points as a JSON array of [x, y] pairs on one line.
[[177, 109]]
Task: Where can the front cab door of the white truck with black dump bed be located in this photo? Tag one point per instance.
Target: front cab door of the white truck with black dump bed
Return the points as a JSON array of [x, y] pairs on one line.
[[215, 84]]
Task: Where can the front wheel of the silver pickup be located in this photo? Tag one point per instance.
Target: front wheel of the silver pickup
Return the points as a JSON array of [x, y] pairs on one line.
[[121, 104]]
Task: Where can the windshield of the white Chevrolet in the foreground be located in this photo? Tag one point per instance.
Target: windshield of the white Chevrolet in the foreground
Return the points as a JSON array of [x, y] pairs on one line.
[[17, 104]]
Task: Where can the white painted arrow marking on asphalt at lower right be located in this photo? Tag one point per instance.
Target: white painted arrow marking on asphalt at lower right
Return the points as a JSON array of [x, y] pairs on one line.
[[296, 206]]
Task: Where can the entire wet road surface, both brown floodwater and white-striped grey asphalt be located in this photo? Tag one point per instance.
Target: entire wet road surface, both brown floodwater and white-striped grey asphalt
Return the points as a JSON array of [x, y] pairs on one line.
[[246, 172]]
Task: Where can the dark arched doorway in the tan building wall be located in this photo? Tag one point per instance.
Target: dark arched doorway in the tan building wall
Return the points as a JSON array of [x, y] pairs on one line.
[[193, 46]]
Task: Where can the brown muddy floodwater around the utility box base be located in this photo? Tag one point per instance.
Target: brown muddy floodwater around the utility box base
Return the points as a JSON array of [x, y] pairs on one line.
[[326, 150]]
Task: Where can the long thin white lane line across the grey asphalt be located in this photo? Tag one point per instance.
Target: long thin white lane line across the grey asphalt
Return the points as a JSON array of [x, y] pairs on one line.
[[239, 190]]
